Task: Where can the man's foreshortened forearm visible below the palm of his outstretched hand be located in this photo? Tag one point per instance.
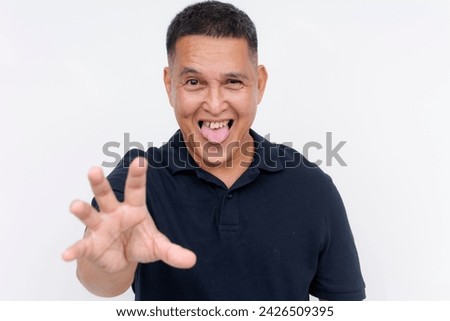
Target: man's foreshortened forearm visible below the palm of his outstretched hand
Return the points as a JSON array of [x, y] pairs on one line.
[[102, 283]]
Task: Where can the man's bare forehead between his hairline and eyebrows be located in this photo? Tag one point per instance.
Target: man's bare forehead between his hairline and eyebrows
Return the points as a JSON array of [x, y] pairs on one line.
[[211, 50]]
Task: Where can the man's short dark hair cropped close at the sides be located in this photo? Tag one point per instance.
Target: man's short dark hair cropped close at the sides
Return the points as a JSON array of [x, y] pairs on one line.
[[212, 18]]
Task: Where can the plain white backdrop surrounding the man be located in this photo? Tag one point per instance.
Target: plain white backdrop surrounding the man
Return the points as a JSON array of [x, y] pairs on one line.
[[75, 75]]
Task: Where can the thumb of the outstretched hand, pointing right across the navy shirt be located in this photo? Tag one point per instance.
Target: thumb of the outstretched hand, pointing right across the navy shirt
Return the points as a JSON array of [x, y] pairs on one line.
[[173, 254]]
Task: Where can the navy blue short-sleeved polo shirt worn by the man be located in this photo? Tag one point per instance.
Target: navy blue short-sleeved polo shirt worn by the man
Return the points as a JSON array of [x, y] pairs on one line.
[[279, 233]]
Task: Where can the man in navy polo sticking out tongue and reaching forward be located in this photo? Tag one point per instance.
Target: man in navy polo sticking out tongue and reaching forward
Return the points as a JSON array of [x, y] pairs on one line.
[[249, 220]]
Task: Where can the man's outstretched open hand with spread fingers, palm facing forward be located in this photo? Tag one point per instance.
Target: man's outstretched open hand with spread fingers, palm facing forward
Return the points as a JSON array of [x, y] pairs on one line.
[[123, 233]]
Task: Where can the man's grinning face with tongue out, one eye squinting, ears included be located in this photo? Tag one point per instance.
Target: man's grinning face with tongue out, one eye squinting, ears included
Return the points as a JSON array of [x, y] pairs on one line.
[[214, 86]]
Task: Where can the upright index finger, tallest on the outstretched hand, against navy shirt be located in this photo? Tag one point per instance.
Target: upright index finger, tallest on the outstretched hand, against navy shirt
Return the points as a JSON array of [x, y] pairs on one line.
[[136, 184]]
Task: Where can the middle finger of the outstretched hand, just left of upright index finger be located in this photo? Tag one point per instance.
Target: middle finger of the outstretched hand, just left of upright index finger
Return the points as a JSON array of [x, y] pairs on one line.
[[103, 193]]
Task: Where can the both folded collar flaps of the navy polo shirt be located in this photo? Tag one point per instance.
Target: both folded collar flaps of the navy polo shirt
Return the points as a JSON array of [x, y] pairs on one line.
[[177, 158]]
